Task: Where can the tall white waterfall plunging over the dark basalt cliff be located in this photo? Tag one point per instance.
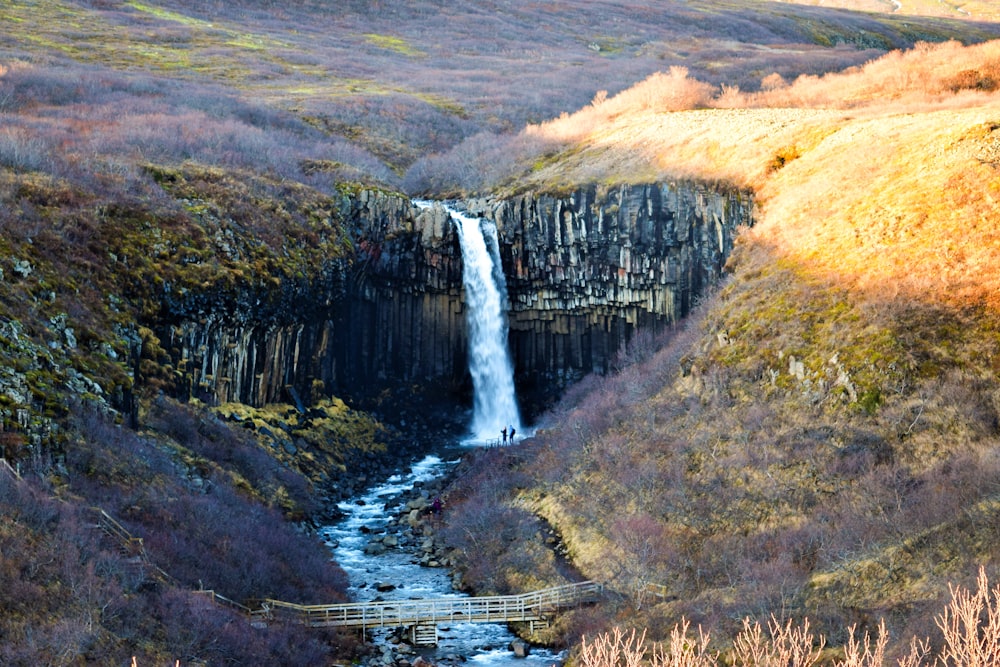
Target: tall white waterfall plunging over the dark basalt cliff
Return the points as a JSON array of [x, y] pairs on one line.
[[494, 400]]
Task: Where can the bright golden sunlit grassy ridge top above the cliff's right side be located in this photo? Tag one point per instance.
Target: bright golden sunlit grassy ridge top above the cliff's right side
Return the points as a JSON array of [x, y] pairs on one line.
[[860, 176]]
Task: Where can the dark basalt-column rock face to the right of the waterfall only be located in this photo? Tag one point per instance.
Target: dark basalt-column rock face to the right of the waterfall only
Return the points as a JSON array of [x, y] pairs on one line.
[[584, 272]]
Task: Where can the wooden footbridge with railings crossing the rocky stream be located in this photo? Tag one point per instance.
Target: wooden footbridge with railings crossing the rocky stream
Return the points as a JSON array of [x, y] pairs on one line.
[[423, 616]]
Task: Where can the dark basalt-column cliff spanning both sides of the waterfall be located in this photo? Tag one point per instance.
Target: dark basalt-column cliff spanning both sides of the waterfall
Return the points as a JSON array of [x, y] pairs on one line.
[[583, 273]]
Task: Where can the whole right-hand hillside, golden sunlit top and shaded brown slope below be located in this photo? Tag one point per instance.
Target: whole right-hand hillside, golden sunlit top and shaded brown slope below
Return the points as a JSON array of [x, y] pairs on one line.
[[819, 440]]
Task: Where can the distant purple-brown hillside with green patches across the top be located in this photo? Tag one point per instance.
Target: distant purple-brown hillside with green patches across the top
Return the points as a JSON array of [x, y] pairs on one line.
[[402, 80]]
